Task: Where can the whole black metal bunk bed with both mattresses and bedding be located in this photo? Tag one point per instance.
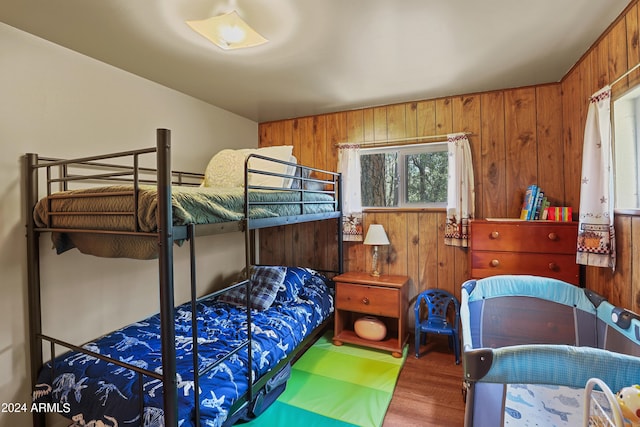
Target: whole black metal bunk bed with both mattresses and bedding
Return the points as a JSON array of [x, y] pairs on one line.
[[174, 368]]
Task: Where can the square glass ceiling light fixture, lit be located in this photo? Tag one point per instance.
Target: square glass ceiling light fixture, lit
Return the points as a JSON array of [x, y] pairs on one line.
[[228, 31]]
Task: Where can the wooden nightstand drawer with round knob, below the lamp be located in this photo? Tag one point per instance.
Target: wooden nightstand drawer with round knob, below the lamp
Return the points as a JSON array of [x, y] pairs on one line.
[[368, 299]]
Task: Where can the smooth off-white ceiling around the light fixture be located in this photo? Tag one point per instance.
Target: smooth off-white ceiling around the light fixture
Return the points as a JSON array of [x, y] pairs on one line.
[[327, 55]]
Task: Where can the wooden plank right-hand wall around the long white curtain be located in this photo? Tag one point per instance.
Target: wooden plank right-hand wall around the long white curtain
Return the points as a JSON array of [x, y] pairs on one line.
[[615, 52]]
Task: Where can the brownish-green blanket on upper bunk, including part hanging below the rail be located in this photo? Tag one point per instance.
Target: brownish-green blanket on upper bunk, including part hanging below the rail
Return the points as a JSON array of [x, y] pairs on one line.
[[113, 208]]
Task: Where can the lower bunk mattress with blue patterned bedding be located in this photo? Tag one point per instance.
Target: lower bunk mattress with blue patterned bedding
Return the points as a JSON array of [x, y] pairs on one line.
[[96, 392]]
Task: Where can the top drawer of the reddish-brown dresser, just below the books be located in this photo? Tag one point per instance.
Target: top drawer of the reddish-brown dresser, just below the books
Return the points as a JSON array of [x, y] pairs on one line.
[[542, 237]]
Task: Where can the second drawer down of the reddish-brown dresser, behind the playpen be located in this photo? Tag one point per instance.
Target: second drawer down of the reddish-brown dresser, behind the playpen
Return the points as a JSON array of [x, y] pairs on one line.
[[557, 266]]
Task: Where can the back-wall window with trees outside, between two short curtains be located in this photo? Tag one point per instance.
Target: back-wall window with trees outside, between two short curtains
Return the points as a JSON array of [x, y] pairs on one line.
[[404, 176]]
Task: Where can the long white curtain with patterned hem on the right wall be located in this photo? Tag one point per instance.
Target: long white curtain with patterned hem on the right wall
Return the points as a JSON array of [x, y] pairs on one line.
[[596, 234]]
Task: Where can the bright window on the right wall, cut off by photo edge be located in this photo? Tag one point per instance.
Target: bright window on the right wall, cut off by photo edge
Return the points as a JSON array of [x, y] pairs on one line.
[[627, 150]]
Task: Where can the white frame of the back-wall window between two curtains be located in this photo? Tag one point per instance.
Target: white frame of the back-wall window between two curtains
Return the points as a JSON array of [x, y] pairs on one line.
[[403, 151]]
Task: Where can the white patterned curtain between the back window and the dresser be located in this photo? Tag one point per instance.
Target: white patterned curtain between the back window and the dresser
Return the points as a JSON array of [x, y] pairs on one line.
[[461, 192]]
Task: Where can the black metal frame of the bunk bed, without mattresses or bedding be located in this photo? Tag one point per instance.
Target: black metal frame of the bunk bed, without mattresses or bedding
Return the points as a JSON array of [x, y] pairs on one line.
[[167, 234]]
